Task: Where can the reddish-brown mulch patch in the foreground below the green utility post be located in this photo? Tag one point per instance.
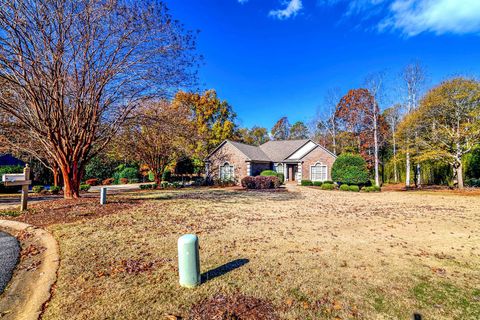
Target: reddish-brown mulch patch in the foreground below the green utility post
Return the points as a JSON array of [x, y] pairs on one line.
[[236, 307]]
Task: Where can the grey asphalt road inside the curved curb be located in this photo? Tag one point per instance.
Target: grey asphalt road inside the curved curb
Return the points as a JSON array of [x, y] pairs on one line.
[[9, 254]]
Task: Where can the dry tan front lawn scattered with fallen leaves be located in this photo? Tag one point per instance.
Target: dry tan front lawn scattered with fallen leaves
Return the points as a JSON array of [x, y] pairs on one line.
[[311, 254]]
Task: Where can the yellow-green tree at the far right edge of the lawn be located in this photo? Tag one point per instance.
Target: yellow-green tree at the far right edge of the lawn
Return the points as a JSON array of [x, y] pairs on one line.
[[447, 123]]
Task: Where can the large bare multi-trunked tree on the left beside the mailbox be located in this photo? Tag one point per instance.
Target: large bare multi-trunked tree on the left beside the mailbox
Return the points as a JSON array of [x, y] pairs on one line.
[[74, 69]]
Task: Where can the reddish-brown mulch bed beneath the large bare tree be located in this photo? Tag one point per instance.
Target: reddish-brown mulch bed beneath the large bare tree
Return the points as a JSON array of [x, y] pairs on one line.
[[52, 212]]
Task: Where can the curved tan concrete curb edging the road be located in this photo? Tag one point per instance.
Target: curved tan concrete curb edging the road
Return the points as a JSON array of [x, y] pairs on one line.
[[32, 305]]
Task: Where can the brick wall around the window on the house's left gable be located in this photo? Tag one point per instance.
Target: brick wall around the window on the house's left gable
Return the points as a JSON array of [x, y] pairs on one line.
[[228, 153]]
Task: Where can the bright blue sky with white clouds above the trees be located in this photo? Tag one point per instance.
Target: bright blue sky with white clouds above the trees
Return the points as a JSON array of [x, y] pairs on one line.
[[274, 58]]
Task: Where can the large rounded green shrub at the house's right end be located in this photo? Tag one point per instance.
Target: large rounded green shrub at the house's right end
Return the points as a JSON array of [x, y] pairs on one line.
[[350, 169]]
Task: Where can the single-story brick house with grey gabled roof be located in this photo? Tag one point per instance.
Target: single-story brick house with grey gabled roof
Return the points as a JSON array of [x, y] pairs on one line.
[[296, 159]]
